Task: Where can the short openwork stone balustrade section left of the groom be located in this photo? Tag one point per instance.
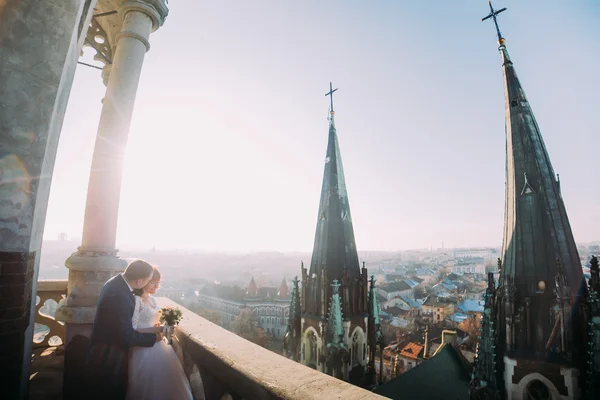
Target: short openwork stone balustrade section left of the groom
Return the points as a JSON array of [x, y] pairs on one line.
[[49, 293]]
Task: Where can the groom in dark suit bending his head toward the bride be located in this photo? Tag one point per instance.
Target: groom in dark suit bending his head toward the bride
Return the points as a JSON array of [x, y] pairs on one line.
[[113, 334]]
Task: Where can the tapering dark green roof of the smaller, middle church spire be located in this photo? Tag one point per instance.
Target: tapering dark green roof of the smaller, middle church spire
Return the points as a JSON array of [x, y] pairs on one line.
[[334, 247]]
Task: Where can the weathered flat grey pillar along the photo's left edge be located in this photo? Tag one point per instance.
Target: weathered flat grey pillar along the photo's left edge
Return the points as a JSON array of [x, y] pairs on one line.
[[40, 42]]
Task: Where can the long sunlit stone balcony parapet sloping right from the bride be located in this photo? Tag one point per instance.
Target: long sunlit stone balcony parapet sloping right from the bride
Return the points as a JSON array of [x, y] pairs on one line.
[[219, 362]]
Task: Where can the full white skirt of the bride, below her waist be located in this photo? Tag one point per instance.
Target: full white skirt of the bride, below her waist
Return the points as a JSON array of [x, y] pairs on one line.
[[155, 373]]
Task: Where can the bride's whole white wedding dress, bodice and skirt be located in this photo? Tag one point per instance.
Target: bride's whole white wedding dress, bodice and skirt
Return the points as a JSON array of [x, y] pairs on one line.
[[155, 373]]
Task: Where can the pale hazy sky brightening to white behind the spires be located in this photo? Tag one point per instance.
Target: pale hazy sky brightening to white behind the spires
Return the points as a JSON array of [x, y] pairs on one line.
[[227, 144]]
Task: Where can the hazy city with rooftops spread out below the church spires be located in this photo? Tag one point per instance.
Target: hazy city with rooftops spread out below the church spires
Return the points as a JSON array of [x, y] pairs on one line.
[[434, 289]]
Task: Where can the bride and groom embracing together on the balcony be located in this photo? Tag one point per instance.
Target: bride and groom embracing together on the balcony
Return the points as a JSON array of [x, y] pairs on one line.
[[127, 358]]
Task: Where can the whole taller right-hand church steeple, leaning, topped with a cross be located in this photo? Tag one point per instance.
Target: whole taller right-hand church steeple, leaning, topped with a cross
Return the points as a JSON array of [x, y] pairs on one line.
[[539, 260]]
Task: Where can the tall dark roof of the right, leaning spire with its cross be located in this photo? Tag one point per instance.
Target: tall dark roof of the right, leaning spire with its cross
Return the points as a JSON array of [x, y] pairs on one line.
[[537, 232]]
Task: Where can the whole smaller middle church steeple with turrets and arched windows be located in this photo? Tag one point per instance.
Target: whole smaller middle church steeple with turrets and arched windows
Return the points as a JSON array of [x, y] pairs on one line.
[[334, 316]]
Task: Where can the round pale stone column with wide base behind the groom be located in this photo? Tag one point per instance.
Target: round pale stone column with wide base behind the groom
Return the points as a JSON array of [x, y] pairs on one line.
[[96, 259]]
